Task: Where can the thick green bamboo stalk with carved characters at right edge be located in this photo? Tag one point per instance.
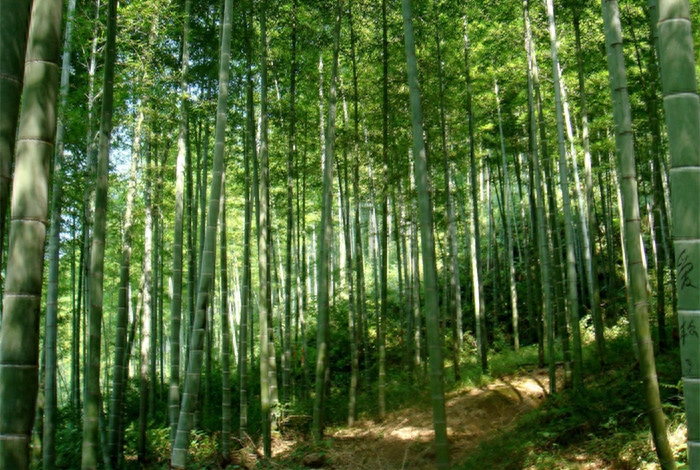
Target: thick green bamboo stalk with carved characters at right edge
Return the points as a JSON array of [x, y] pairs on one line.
[[682, 109]]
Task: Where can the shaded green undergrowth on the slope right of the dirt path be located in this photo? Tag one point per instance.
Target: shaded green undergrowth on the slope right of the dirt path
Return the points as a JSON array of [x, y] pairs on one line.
[[602, 426]]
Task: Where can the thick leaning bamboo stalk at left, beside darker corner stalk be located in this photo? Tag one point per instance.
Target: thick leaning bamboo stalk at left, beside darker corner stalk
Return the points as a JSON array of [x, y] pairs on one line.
[[19, 336]]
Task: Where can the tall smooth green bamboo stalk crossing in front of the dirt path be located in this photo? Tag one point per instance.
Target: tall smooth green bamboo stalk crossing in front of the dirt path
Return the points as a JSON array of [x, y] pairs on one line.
[[425, 212]]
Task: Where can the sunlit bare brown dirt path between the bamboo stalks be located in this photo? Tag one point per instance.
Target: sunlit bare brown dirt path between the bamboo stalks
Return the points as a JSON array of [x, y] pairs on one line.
[[404, 439]]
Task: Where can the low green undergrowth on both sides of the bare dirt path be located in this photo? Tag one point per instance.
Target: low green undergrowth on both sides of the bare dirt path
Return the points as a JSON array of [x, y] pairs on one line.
[[602, 426]]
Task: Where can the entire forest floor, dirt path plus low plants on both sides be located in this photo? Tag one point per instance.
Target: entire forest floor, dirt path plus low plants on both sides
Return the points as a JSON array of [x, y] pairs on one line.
[[504, 420]]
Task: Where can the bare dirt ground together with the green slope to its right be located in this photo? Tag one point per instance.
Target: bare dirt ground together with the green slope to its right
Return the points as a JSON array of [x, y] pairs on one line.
[[509, 421]]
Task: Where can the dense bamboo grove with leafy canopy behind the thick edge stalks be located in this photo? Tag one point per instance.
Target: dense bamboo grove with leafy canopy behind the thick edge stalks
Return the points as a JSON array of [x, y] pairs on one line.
[[280, 208]]
